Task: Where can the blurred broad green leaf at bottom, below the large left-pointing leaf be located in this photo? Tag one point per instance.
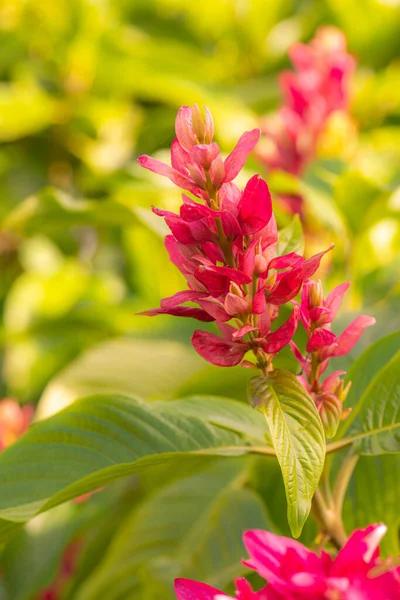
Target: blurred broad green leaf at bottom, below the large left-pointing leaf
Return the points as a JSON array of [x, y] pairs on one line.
[[192, 528]]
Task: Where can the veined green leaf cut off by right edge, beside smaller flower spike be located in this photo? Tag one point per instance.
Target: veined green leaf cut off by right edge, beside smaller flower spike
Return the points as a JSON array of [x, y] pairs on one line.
[[375, 425]]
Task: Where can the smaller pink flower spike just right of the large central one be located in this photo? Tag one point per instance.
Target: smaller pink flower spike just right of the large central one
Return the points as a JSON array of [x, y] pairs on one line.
[[317, 315]]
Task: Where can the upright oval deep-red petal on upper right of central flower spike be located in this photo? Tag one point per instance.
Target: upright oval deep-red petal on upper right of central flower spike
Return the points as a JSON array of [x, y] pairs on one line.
[[255, 207]]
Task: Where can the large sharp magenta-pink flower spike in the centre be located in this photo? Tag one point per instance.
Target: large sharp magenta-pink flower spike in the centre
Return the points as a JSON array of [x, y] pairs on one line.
[[226, 247]]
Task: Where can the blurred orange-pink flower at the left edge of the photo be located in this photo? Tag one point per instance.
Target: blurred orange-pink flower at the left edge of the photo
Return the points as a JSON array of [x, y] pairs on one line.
[[14, 421]]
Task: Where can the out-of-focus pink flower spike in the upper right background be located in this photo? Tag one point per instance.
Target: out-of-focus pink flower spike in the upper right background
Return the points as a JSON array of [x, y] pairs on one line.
[[318, 88]]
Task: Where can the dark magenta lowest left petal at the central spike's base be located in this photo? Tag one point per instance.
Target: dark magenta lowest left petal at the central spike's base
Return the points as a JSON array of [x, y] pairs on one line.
[[218, 351]]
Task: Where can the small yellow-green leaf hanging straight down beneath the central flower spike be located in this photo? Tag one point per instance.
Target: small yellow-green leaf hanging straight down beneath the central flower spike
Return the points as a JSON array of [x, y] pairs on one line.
[[298, 438]]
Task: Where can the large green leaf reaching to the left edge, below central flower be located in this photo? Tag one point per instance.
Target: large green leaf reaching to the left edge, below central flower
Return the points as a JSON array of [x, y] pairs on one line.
[[98, 440]]
